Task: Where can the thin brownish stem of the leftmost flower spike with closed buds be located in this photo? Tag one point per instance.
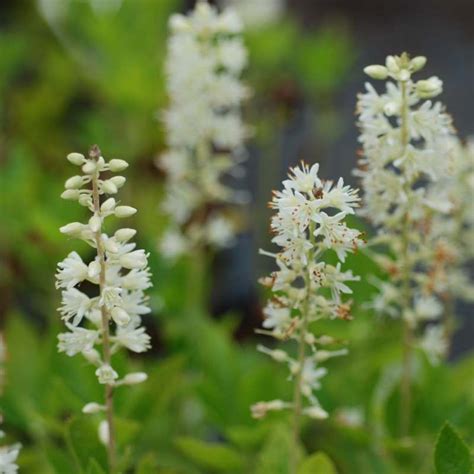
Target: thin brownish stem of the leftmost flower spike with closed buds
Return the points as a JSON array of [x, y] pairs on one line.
[[106, 352]]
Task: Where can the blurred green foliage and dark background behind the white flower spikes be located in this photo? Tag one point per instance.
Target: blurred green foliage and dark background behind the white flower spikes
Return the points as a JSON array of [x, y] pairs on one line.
[[74, 73]]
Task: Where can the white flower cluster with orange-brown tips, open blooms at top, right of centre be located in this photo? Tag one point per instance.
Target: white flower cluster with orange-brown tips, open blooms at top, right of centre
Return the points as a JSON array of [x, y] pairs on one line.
[[309, 222]]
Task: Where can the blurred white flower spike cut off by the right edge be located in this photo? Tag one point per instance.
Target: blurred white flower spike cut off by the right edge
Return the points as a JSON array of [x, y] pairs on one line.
[[452, 239]]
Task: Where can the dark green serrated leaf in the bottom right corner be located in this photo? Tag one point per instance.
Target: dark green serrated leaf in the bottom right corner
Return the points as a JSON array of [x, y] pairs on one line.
[[451, 453]]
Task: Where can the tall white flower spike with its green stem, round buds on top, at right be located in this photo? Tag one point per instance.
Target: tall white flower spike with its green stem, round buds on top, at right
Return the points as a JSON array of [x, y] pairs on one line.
[[406, 139]]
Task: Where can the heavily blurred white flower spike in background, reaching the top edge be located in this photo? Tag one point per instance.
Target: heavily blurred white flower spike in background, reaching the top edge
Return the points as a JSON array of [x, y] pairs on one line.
[[205, 133]]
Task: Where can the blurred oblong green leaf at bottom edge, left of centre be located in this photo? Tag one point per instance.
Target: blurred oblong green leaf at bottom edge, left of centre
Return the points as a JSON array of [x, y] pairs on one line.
[[210, 455]]
